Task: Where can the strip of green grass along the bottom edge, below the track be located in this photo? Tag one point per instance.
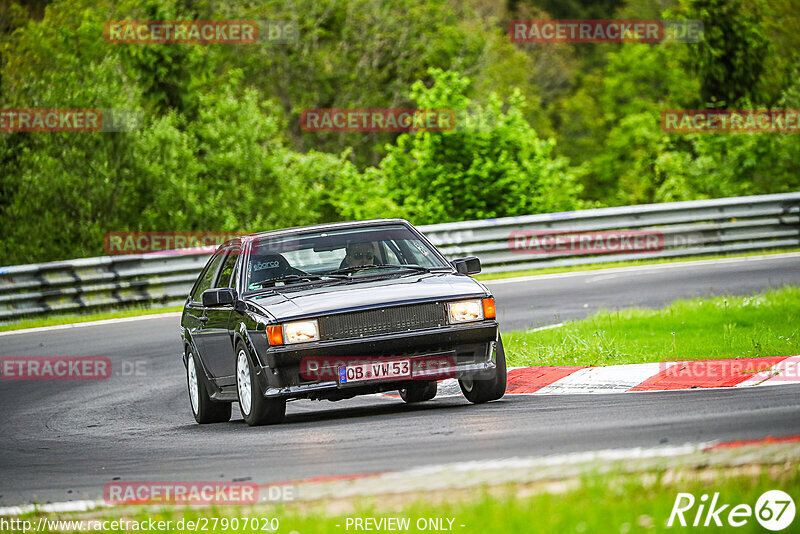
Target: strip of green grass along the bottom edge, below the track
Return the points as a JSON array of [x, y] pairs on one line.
[[611, 503]]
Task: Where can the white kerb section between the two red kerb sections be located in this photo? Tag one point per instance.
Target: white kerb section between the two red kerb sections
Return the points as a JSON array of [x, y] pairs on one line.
[[608, 379]]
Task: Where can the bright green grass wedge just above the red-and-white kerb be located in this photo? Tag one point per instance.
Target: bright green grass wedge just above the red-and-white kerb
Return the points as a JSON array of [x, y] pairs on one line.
[[766, 324]]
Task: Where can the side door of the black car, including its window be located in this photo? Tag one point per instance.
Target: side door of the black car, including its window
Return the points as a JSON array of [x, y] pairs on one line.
[[218, 349]]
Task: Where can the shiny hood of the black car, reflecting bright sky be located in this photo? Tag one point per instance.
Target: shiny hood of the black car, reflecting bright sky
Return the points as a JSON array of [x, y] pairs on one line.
[[372, 293]]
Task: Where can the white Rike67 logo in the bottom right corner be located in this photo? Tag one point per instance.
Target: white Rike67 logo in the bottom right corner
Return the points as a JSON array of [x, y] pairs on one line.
[[774, 510]]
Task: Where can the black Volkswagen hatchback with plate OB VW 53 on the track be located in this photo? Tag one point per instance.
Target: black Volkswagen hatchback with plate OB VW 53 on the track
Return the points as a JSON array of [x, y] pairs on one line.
[[333, 311]]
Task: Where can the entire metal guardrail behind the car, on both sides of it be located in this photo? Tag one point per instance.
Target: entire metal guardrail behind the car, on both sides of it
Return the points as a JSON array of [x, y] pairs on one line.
[[691, 228]]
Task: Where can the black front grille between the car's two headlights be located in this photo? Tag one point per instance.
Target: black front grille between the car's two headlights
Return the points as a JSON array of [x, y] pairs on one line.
[[382, 321]]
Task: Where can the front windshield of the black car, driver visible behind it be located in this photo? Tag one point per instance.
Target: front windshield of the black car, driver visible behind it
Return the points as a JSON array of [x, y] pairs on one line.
[[343, 253]]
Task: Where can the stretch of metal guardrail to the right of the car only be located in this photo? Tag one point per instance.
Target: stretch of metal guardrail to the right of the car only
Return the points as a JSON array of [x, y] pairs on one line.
[[701, 227]]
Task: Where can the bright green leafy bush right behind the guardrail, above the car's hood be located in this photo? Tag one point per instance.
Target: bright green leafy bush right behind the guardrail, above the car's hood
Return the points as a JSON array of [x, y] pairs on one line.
[[498, 167]]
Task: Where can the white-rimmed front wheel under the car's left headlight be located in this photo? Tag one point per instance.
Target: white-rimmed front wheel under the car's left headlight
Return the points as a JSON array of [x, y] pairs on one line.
[[256, 409]]
